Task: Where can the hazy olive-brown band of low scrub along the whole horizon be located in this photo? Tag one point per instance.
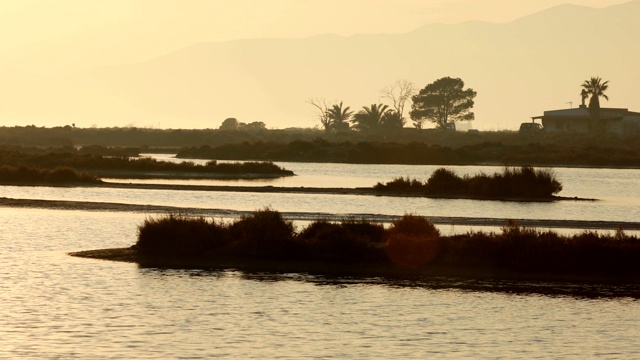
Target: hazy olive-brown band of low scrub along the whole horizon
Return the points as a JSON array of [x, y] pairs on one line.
[[140, 137]]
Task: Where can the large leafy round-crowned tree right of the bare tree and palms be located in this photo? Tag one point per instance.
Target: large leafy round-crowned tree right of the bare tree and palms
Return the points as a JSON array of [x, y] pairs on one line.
[[443, 102]]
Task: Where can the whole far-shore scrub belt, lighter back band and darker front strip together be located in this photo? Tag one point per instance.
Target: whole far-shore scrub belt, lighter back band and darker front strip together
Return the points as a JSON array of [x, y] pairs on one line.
[[406, 146]]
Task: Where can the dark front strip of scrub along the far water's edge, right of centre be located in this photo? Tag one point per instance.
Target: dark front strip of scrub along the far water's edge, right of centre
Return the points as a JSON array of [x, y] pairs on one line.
[[320, 150]]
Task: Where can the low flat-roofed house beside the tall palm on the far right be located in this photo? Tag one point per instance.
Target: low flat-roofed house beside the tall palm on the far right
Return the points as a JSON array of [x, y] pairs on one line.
[[577, 120]]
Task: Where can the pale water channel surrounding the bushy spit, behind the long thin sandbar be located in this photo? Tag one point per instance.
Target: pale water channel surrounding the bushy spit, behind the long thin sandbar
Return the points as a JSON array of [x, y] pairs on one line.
[[617, 191]]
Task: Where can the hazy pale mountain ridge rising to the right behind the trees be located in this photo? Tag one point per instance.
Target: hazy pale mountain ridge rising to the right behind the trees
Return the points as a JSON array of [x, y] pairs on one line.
[[519, 69]]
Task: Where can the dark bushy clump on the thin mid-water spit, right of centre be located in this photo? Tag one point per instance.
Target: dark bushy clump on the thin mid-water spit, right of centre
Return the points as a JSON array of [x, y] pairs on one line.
[[523, 182]]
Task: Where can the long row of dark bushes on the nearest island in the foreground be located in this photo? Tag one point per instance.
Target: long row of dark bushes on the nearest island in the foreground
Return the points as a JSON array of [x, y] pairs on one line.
[[411, 241]]
